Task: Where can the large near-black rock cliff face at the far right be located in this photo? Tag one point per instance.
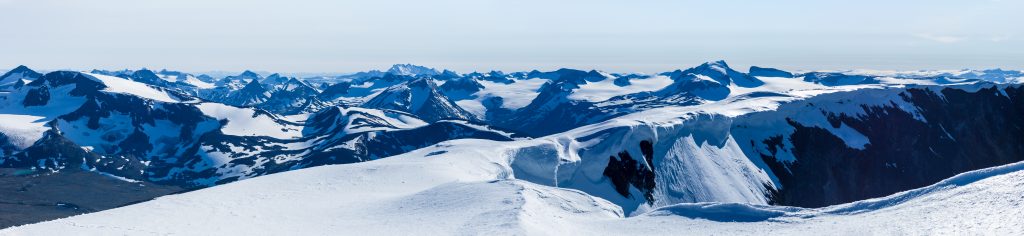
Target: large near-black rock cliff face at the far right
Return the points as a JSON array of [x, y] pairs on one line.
[[963, 132]]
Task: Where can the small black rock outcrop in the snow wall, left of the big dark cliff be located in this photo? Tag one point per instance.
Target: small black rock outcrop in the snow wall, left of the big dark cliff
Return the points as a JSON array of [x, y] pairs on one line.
[[625, 172]]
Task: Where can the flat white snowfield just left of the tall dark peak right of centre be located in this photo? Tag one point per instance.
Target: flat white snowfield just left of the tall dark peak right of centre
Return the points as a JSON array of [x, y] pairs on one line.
[[605, 90]]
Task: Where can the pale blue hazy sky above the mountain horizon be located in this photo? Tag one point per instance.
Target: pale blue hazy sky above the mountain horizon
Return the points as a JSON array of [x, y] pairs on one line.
[[510, 35]]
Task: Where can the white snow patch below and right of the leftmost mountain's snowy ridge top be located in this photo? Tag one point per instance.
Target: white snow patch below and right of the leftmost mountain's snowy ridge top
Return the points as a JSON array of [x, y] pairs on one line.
[[245, 122]]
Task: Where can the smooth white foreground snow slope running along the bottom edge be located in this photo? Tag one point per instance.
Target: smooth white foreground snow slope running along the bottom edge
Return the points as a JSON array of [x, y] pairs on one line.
[[470, 192]]
